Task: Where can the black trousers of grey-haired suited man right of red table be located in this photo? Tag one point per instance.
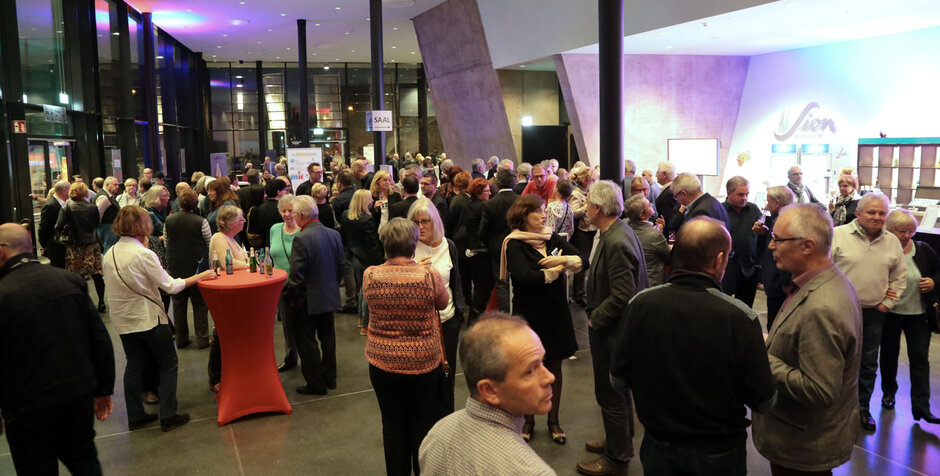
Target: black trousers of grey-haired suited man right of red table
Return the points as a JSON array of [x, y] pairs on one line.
[[319, 370]]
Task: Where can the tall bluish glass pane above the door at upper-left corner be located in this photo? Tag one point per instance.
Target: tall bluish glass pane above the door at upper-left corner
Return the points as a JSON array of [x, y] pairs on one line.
[[42, 52]]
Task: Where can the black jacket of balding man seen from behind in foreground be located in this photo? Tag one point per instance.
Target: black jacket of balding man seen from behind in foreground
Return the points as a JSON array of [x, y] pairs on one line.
[[693, 357]]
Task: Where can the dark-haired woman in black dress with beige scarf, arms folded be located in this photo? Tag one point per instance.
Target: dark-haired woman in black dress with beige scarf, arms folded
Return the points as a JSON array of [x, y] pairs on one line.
[[535, 260]]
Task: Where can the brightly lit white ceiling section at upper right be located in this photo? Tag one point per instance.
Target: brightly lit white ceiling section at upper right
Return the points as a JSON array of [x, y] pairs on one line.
[[784, 25]]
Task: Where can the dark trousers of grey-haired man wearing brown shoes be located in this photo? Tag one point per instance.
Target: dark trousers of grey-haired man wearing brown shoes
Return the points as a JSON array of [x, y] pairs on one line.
[[616, 407]]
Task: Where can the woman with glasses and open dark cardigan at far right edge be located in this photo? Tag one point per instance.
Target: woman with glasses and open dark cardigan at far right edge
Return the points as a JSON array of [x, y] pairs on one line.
[[909, 316]]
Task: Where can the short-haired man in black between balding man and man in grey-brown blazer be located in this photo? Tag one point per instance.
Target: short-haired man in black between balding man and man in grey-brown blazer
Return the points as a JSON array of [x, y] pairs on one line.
[[740, 279]]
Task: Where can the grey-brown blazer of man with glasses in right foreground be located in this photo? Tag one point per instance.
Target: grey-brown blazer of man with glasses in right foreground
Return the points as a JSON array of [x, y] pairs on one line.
[[814, 350]]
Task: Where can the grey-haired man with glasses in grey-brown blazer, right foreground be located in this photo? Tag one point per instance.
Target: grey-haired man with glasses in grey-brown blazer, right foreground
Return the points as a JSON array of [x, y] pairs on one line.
[[814, 350]]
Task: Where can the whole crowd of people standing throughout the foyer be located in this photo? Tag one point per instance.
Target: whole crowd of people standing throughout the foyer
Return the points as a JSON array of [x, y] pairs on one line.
[[426, 248]]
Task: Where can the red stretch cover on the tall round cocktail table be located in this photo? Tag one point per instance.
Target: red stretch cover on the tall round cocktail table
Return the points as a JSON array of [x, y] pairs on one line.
[[243, 307]]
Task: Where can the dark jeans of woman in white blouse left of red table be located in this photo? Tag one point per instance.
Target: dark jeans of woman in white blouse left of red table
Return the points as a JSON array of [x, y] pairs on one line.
[[137, 345]]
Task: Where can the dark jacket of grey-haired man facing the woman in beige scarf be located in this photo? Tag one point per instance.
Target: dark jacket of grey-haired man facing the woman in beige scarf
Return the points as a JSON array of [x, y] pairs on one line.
[[618, 272]]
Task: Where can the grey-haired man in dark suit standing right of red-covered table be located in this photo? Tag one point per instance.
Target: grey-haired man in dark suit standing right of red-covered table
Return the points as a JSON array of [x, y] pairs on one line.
[[312, 293]]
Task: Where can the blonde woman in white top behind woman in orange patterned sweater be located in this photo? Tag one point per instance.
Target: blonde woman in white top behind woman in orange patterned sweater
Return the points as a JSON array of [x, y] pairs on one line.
[[441, 253]]
